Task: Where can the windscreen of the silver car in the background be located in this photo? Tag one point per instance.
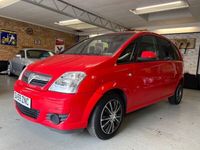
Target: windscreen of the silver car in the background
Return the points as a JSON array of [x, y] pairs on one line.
[[38, 54]]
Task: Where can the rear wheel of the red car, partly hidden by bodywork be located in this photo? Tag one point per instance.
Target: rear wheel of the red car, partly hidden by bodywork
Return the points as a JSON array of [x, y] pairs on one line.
[[178, 95]]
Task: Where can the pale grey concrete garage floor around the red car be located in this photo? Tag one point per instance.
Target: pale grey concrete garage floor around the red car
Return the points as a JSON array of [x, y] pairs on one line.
[[157, 127]]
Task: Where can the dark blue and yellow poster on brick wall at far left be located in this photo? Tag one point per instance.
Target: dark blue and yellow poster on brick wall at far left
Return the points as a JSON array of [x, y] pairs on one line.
[[8, 38]]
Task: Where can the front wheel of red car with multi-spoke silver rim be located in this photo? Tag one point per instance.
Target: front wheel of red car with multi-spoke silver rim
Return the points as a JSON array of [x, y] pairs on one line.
[[107, 116]]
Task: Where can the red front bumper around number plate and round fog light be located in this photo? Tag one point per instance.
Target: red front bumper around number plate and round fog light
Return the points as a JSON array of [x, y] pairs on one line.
[[47, 102]]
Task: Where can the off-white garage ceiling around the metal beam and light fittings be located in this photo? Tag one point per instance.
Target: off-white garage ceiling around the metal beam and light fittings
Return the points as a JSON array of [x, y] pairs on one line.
[[115, 10]]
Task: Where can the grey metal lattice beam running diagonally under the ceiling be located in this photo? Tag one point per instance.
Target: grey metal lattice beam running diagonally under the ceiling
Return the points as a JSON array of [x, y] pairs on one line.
[[70, 10]]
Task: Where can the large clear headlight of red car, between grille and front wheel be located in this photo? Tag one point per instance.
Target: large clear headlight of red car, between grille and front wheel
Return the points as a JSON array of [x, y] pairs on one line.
[[68, 82]]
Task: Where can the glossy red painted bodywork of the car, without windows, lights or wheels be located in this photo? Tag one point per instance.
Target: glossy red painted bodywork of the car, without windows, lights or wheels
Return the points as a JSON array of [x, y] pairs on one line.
[[142, 83]]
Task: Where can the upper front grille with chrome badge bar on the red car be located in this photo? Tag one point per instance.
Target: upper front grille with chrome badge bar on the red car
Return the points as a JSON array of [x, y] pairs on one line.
[[35, 78]]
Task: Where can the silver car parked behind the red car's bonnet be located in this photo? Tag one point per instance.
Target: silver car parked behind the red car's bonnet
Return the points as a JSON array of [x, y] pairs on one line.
[[26, 57]]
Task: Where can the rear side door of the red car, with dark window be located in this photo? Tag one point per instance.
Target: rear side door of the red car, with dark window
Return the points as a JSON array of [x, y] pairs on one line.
[[170, 68]]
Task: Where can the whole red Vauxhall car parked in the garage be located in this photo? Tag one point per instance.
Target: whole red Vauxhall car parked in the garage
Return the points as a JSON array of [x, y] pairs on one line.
[[96, 82]]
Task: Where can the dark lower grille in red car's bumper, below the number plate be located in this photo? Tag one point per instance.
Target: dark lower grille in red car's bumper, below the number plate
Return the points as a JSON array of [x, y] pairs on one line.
[[27, 111]]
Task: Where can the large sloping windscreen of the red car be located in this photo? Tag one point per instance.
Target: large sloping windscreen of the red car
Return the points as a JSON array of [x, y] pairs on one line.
[[100, 45]]
